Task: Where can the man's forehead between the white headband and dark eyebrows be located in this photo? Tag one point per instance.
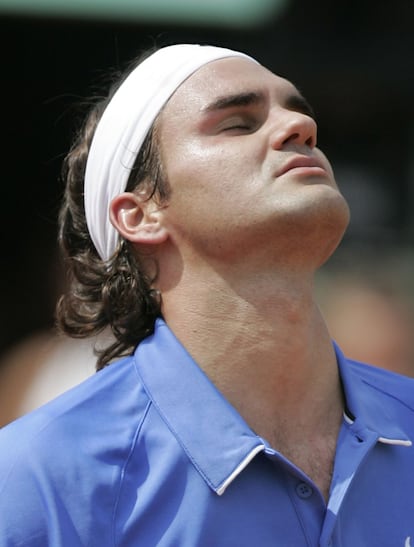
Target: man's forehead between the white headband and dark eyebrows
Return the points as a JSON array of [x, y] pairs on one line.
[[223, 77]]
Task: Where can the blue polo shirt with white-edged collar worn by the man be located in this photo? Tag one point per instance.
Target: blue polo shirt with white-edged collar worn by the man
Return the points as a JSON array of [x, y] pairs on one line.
[[148, 453]]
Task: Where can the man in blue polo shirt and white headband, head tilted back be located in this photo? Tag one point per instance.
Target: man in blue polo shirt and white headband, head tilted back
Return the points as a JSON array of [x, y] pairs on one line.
[[235, 421]]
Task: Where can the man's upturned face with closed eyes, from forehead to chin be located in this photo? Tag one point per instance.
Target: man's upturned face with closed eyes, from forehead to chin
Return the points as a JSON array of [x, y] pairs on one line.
[[238, 145]]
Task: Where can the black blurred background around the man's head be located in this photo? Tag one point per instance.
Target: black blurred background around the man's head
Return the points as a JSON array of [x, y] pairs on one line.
[[353, 60]]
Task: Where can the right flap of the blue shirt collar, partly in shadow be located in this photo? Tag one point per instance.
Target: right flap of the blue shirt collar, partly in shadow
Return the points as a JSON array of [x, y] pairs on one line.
[[370, 402]]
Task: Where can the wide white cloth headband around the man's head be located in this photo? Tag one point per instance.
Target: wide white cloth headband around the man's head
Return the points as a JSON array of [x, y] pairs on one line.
[[124, 125]]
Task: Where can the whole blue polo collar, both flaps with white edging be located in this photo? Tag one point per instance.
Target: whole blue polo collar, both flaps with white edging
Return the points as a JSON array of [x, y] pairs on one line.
[[215, 437]]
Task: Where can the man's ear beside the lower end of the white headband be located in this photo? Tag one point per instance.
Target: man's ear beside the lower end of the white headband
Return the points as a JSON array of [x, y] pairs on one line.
[[137, 219]]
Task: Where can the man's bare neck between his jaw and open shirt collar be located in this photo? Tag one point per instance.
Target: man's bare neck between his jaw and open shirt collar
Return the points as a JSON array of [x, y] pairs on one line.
[[264, 344]]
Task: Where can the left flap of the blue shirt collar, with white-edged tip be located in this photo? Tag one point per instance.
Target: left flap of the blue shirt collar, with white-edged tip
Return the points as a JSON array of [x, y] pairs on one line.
[[217, 440]]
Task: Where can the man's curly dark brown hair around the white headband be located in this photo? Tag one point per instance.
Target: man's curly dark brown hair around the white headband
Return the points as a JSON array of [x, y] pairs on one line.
[[118, 292]]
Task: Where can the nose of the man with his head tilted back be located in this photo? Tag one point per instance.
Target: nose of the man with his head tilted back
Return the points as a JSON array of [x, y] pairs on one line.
[[291, 127]]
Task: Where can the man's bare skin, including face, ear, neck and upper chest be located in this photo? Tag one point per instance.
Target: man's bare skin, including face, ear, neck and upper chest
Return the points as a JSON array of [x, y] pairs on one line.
[[254, 211]]
